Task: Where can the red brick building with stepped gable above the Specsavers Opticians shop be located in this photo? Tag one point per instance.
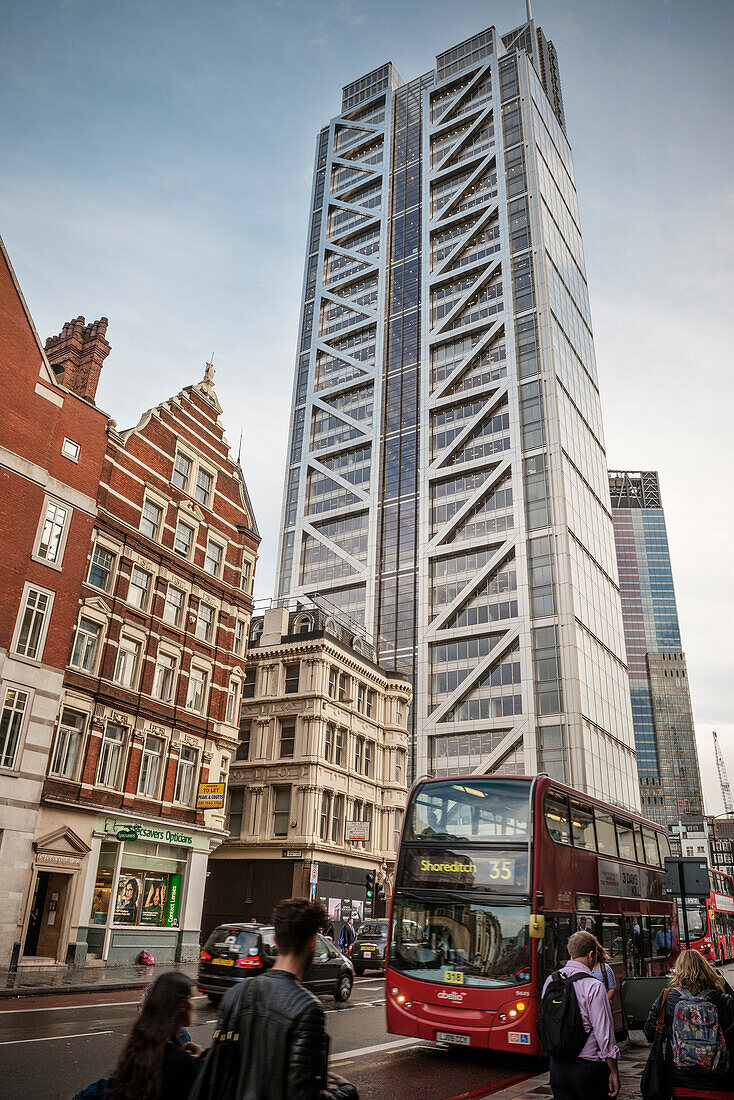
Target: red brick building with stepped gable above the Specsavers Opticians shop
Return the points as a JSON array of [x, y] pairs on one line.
[[156, 670]]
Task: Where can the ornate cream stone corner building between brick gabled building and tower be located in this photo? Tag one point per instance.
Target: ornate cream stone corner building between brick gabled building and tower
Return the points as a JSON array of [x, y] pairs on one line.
[[323, 743]]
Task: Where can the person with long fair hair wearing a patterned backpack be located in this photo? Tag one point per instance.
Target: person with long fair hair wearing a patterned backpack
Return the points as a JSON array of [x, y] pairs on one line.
[[698, 1018]]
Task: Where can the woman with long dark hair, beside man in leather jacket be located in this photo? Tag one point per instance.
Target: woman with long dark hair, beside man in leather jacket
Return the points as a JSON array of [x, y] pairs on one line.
[[154, 1064]]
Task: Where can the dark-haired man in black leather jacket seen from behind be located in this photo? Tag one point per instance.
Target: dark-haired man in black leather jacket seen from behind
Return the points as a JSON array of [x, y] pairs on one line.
[[283, 1041]]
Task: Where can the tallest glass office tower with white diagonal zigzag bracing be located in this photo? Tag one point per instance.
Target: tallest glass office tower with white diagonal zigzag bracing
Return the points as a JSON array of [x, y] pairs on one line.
[[446, 482]]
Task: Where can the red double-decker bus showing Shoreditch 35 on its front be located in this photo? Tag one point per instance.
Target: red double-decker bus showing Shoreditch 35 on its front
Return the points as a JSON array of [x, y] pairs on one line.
[[494, 876]]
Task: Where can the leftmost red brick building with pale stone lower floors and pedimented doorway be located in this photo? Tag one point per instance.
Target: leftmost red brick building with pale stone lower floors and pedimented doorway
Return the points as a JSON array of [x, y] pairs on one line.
[[52, 450]]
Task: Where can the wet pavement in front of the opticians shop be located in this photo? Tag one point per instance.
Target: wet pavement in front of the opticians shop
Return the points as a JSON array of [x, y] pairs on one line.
[[46, 981]]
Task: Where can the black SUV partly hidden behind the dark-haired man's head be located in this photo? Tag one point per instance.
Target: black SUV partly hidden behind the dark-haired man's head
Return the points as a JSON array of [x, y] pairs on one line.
[[235, 952]]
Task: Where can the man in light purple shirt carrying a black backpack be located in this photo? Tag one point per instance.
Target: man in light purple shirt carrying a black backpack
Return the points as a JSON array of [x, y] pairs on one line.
[[577, 1028]]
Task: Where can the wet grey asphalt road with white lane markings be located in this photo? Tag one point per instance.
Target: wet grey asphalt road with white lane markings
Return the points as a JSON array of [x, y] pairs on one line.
[[53, 1047]]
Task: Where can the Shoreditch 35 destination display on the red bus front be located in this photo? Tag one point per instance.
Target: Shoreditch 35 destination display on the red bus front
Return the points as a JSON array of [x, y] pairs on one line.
[[457, 870]]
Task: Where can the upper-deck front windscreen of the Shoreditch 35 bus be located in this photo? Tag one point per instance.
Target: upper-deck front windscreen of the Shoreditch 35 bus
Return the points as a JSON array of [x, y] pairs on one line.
[[472, 810]]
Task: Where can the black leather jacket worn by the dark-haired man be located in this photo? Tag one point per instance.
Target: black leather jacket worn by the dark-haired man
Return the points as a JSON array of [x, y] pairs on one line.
[[283, 1041]]
